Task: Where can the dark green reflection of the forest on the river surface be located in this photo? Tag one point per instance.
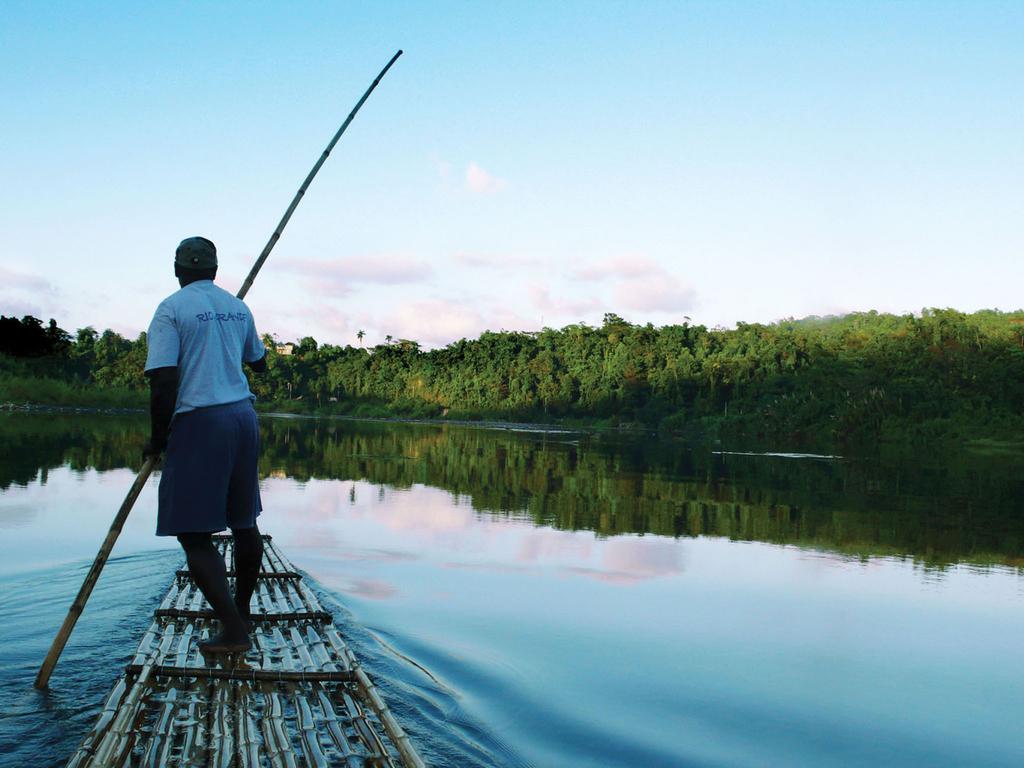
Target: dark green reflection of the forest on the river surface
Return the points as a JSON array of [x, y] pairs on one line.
[[954, 513]]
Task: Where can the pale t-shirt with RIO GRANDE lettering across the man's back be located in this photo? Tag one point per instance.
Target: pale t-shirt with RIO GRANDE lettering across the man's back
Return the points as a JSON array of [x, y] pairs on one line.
[[206, 333]]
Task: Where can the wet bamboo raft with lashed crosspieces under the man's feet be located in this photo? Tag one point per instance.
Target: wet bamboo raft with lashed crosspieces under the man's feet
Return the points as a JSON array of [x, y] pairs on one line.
[[297, 699]]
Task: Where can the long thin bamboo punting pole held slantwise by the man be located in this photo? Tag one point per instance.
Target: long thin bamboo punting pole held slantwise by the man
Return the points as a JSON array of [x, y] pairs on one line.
[[44, 678]]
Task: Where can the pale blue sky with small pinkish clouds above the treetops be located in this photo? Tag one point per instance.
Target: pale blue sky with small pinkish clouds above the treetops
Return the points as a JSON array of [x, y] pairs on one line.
[[522, 165]]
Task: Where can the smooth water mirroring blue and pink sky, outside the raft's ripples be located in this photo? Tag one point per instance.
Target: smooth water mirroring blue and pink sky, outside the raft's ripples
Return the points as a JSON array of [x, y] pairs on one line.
[[627, 651]]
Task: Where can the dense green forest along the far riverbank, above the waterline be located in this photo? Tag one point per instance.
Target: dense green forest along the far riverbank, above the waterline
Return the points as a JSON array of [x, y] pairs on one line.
[[943, 374]]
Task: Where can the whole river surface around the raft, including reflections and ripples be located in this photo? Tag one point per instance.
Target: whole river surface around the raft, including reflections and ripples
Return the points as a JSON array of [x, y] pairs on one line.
[[562, 600]]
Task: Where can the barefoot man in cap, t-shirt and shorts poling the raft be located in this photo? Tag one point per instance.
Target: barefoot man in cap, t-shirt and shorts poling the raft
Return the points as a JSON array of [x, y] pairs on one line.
[[199, 338]]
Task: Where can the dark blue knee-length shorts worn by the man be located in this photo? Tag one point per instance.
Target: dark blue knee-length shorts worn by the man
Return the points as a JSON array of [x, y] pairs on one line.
[[209, 480]]
